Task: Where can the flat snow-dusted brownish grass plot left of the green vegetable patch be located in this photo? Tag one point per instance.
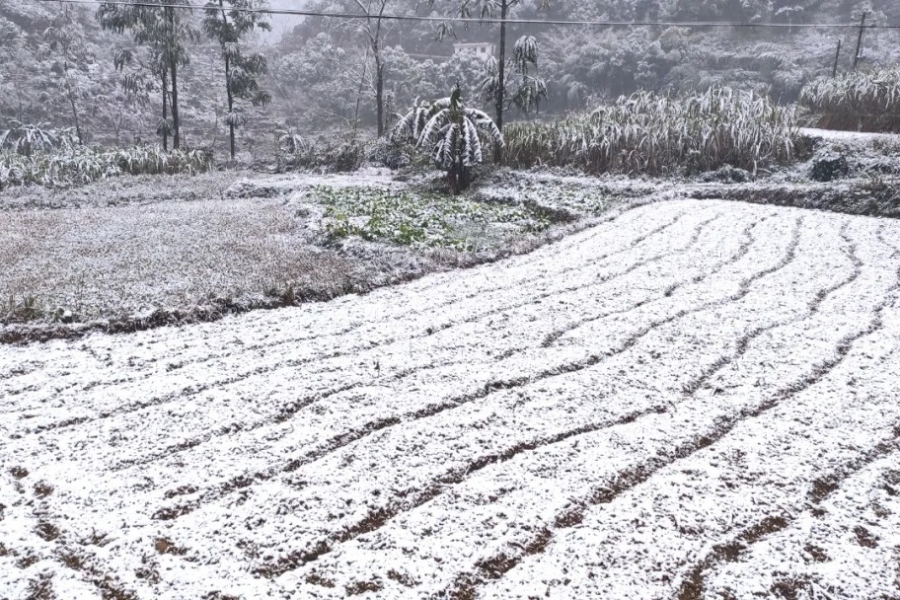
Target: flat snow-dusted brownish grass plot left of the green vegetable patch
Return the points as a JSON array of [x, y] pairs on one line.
[[94, 263]]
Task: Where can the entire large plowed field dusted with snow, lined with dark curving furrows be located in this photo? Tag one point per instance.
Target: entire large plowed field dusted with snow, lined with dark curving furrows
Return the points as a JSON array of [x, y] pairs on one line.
[[692, 400]]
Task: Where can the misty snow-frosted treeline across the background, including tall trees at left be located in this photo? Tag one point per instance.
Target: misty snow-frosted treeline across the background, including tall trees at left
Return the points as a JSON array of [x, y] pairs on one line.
[[121, 75]]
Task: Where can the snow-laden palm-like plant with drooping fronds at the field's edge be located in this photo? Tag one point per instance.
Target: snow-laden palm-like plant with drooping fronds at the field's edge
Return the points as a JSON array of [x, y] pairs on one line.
[[452, 133]]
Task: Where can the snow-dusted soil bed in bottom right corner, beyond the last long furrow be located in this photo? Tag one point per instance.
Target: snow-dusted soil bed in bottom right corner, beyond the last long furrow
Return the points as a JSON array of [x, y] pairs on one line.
[[841, 545]]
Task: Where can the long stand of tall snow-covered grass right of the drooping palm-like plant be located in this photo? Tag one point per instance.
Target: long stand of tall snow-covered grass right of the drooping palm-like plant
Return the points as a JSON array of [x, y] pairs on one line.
[[662, 135]]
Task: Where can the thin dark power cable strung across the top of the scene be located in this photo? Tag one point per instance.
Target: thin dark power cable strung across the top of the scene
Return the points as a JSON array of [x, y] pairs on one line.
[[490, 21]]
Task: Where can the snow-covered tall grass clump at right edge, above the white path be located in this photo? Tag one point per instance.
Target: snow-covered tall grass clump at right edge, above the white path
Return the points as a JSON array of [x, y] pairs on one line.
[[857, 100]]
